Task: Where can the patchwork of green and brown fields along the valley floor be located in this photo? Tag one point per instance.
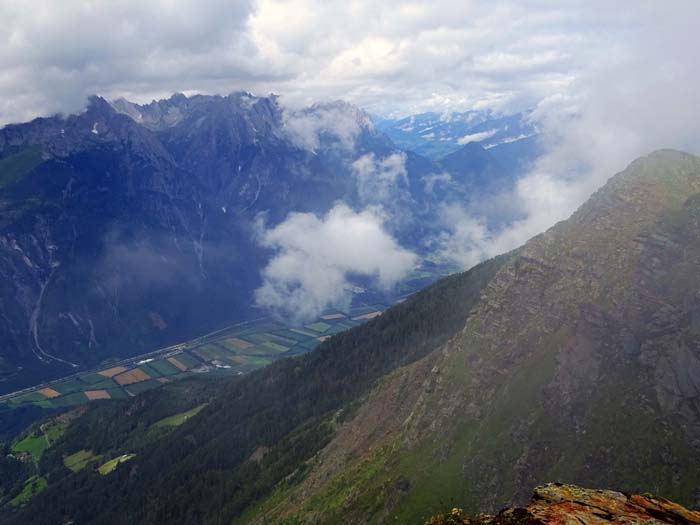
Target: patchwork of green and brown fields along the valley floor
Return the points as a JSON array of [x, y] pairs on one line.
[[235, 350]]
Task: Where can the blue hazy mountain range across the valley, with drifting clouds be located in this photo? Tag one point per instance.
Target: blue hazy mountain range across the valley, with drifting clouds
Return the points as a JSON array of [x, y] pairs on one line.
[[129, 226]]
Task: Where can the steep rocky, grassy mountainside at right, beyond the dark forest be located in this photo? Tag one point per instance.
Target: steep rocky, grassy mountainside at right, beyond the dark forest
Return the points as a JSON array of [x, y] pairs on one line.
[[581, 363]]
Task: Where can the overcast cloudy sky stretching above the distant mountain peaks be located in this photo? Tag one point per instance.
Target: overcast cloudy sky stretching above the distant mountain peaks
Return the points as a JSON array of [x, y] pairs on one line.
[[395, 57]]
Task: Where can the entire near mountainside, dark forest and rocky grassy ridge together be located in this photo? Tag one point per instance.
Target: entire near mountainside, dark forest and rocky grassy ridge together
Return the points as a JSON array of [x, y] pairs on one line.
[[574, 358]]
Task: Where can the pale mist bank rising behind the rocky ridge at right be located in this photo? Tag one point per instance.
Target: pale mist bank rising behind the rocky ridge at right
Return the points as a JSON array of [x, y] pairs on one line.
[[636, 98]]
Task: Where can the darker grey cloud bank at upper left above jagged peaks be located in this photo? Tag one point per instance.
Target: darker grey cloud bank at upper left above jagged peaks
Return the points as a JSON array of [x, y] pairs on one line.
[[54, 55]]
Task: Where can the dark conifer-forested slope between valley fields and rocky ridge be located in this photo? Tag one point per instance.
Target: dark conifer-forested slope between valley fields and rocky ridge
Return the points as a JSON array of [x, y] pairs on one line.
[[256, 433]]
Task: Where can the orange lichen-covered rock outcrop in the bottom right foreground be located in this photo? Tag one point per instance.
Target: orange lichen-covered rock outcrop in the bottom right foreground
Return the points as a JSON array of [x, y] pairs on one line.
[[557, 504]]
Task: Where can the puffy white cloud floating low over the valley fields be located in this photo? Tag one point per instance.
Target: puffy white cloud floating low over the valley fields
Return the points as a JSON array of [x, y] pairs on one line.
[[317, 257]]
